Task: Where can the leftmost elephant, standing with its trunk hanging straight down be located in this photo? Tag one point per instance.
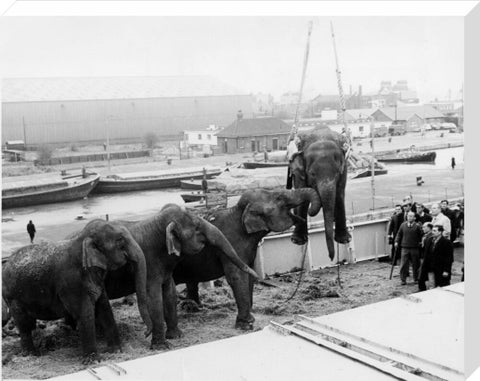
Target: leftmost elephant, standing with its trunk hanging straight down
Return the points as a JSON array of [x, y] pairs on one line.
[[51, 280]]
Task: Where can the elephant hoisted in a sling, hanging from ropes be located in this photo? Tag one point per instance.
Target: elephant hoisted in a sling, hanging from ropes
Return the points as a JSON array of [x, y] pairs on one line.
[[321, 164]]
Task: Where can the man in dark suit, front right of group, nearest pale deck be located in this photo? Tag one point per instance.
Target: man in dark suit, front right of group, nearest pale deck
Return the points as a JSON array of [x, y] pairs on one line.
[[442, 257]]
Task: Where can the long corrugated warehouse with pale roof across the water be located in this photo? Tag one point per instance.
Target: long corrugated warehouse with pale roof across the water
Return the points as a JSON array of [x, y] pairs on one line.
[[64, 110]]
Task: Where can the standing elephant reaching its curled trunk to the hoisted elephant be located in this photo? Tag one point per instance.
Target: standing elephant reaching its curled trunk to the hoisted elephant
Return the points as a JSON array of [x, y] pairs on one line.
[[257, 213]]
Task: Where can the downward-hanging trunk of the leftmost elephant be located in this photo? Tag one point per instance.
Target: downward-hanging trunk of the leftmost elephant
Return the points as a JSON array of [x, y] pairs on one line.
[[135, 254]]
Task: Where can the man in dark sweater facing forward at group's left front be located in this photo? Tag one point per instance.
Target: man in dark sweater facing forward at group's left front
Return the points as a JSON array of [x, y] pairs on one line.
[[408, 239]]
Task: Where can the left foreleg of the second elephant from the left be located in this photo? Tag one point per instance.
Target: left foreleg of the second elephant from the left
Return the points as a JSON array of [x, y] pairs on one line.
[[155, 306]]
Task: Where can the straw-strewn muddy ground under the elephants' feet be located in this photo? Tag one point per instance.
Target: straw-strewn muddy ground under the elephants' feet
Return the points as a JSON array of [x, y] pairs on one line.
[[319, 293]]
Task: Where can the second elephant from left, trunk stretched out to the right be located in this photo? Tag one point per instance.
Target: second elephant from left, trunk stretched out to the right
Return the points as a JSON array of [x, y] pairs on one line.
[[166, 238]]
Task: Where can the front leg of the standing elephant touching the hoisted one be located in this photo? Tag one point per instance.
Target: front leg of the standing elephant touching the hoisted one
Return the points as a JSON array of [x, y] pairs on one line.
[[239, 282]]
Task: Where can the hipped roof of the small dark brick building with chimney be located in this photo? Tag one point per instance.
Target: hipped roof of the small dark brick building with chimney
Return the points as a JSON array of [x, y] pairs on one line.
[[255, 127]]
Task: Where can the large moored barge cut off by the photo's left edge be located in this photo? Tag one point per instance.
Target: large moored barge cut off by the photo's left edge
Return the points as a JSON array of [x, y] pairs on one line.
[[19, 194]]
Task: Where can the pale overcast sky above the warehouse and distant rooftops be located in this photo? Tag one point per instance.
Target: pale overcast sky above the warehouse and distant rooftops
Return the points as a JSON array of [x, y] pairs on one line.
[[254, 54]]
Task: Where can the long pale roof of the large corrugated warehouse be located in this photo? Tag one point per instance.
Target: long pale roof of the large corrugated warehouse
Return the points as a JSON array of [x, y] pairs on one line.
[[88, 88]]
